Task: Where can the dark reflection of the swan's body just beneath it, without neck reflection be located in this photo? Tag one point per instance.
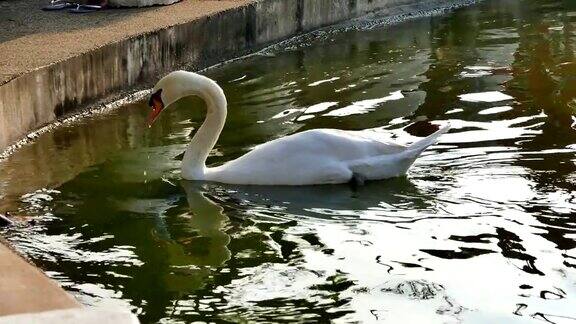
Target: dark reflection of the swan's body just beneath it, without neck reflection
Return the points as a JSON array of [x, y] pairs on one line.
[[321, 202]]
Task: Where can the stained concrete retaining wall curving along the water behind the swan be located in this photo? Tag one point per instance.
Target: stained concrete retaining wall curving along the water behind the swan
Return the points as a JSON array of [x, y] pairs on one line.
[[43, 95]]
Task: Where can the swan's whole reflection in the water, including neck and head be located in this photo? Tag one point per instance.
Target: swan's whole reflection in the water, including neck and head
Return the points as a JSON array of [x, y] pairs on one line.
[[203, 247]]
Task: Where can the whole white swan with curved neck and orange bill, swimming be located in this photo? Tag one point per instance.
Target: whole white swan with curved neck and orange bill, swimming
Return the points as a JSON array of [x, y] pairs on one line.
[[320, 156]]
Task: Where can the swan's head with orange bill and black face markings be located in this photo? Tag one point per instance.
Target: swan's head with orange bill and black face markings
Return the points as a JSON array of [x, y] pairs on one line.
[[176, 85]]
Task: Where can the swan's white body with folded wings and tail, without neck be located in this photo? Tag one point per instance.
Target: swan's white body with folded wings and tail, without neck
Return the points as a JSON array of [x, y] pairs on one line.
[[321, 156]]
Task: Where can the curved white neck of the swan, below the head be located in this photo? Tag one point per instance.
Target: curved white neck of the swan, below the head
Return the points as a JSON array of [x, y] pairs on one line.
[[194, 162]]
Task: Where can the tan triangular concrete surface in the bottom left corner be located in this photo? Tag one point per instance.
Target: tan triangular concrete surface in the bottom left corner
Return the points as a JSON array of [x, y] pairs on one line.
[[25, 289]]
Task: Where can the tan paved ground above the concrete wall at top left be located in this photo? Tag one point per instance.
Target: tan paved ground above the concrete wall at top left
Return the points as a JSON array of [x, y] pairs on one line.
[[31, 38]]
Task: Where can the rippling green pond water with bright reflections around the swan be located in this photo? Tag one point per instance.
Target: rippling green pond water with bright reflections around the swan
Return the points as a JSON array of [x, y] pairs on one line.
[[483, 229]]
